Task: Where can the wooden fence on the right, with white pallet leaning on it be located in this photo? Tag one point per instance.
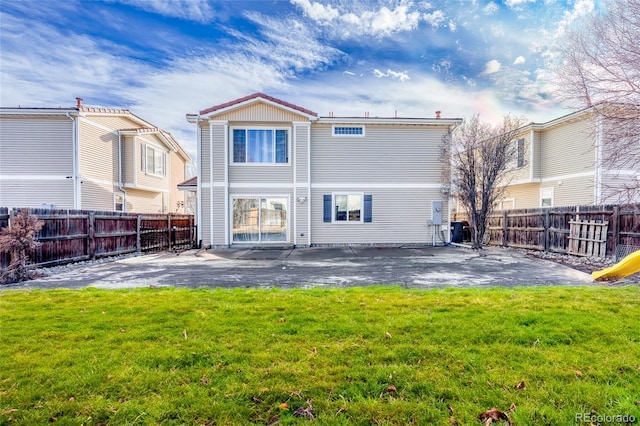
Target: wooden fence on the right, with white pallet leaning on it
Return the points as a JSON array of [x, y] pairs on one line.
[[549, 229]]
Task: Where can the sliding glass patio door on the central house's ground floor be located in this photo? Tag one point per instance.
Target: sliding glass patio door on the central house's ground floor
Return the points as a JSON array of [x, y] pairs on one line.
[[259, 220]]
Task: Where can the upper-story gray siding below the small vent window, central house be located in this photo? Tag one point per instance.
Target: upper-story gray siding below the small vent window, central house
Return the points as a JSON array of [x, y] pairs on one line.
[[387, 154]]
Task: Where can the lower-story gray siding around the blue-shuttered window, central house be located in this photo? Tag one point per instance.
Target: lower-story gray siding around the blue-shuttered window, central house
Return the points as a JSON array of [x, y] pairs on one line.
[[399, 216]]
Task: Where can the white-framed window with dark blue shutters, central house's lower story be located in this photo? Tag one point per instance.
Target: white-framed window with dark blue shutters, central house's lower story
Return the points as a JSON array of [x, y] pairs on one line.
[[347, 208]]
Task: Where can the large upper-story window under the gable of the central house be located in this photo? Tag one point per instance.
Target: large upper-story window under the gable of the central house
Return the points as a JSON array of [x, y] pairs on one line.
[[261, 146]]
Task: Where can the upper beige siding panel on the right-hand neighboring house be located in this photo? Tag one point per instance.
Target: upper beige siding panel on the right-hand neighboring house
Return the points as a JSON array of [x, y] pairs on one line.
[[567, 149]]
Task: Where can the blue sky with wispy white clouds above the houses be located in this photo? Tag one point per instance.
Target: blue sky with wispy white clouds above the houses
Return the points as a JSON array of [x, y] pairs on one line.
[[166, 58]]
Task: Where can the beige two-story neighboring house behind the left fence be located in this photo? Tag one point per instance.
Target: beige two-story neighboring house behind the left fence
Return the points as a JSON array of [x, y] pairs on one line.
[[90, 159]]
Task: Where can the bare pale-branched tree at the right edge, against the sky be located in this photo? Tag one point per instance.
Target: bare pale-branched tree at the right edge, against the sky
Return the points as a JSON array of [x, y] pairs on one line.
[[600, 70]]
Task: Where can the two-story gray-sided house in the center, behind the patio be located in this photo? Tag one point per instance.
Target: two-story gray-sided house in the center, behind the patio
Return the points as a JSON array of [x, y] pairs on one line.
[[270, 172]]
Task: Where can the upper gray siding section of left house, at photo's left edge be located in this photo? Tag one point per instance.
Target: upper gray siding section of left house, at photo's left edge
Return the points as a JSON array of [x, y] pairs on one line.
[[36, 146]]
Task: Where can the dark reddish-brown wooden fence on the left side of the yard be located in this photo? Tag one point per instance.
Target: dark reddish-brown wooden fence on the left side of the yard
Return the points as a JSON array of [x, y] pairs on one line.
[[75, 235]]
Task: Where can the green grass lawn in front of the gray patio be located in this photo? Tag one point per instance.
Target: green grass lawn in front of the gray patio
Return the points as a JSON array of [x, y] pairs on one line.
[[361, 356]]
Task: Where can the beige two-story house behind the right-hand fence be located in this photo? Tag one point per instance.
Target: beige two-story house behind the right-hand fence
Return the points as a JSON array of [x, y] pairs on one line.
[[563, 163]]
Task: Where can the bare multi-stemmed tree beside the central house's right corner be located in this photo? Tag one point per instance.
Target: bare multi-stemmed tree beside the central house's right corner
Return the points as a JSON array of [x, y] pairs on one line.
[[480, 157]]
